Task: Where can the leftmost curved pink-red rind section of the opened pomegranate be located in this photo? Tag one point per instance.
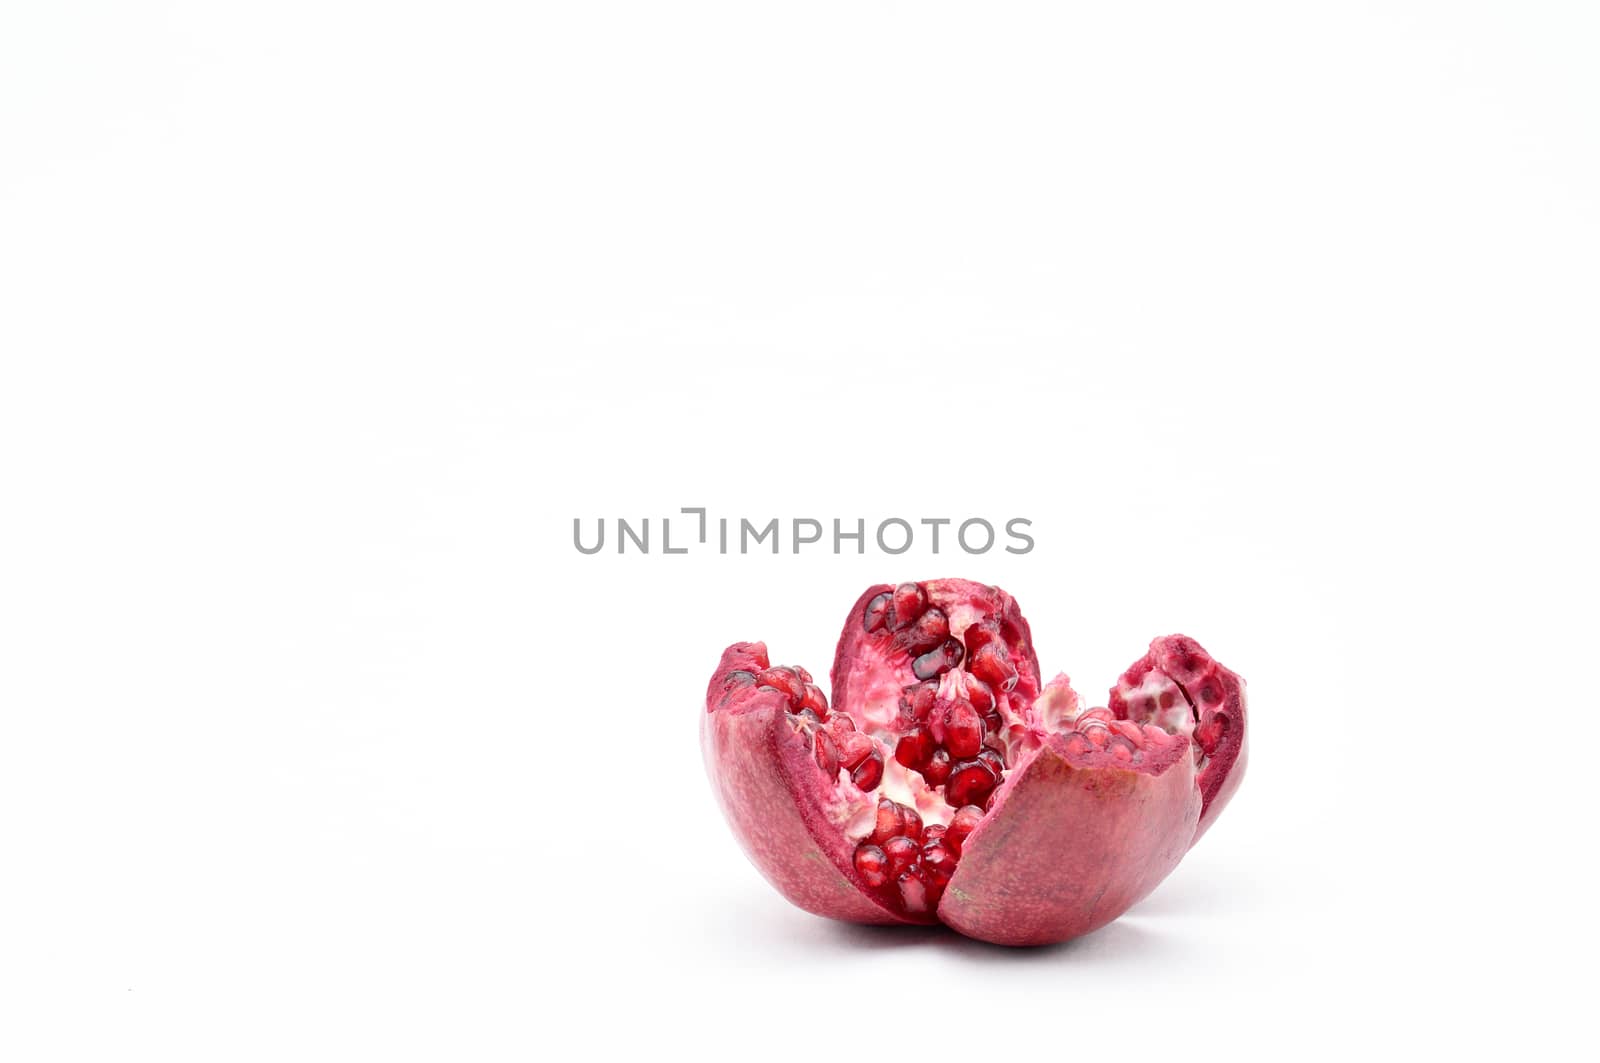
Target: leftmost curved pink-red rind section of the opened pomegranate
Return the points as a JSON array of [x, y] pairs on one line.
[[766, 779]]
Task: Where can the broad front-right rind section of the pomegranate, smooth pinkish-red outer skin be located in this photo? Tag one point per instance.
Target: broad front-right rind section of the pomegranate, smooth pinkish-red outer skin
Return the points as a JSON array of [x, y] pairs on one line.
[[1068, 848]]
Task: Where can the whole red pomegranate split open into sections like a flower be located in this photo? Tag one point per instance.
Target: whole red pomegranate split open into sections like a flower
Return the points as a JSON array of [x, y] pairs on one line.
[[950, 785]]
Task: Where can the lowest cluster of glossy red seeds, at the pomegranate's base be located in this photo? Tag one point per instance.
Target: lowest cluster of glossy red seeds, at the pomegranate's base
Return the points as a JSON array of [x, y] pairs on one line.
[[919, 860]]
